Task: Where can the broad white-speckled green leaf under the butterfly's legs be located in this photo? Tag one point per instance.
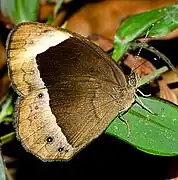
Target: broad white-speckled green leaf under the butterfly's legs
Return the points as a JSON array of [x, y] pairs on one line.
[[155, 134]]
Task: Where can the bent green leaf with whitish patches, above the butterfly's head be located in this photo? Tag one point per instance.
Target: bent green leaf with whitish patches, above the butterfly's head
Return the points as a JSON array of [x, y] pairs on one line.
[[164, 20]]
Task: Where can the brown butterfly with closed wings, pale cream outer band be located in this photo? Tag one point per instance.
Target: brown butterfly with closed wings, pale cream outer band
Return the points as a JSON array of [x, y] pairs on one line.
[[70, 89]]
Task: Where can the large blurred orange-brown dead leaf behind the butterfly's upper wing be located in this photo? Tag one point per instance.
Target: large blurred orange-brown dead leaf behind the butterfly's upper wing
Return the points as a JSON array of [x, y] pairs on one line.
[[105, 17]]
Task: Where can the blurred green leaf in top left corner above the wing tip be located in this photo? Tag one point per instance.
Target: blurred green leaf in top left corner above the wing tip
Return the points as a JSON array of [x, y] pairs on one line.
[[20, 10]]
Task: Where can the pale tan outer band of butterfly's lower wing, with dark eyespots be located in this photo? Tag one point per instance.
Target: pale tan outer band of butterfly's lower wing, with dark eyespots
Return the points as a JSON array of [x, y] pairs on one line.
[[37, 125]]
